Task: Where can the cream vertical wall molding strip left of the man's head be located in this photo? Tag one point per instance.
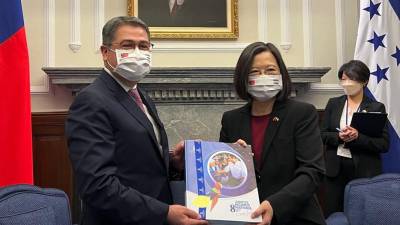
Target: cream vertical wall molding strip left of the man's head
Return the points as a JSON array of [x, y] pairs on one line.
[[75, 25]]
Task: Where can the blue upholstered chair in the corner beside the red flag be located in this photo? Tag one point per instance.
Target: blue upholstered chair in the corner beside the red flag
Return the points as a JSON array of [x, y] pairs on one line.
[[32, 205]]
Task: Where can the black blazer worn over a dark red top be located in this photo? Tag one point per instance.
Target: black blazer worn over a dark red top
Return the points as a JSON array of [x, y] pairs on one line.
[[292, 159]]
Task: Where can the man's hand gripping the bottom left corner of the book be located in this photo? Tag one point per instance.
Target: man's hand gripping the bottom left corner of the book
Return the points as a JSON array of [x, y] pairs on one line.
[[180, 215]]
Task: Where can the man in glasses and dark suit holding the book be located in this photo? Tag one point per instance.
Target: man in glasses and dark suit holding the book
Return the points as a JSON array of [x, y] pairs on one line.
[[117, 143]]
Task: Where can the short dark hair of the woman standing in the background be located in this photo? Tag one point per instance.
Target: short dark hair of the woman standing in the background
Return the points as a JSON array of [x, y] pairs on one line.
[[355, 70]]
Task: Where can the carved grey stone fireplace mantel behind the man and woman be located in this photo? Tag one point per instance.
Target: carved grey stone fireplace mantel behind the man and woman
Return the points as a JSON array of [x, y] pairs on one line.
[[183, 85]]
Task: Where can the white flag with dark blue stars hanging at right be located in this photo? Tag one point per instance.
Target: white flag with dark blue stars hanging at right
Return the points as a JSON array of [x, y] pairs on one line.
[[378, 46]]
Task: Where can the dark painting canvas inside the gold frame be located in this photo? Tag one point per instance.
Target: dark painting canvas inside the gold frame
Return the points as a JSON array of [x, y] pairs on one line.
[[183, 13]]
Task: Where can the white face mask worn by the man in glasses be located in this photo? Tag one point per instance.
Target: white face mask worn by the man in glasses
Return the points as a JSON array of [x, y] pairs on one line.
[[132, 65]]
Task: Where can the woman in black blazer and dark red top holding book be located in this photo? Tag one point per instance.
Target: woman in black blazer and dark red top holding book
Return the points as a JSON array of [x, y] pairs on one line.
[[284, 135]]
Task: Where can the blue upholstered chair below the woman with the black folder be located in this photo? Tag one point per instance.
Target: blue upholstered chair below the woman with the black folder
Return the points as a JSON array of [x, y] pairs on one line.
[[370, 202]]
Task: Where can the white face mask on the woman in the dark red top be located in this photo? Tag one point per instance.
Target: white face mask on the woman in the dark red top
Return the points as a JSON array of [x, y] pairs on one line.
[[264, 87]]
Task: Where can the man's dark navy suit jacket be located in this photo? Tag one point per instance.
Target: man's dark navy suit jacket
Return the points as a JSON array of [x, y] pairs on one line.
[[120, 173]]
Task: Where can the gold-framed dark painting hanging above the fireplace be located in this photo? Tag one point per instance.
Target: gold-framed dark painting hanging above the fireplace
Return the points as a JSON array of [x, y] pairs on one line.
[[188, 18]]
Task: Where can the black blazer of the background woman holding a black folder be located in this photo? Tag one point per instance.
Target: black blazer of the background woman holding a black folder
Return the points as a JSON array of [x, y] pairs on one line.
[[365, 150]]
